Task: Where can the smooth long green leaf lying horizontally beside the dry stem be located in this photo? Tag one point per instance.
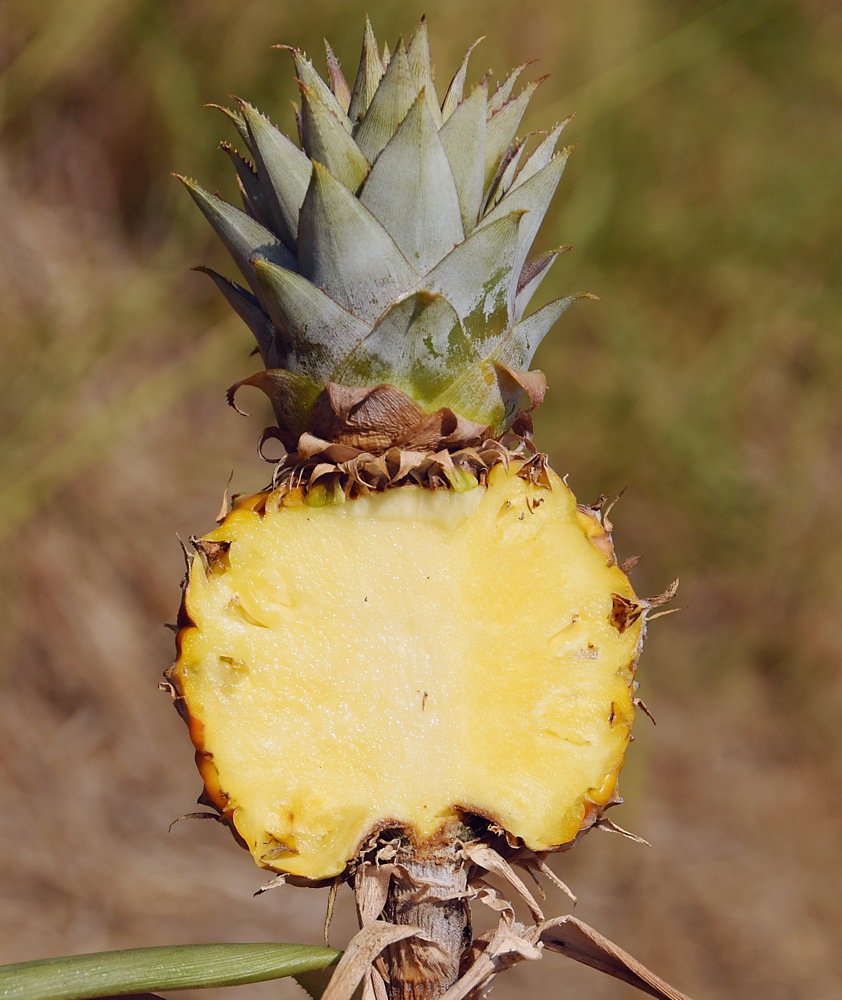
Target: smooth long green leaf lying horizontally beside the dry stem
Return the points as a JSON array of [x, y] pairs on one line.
[[176, 967]]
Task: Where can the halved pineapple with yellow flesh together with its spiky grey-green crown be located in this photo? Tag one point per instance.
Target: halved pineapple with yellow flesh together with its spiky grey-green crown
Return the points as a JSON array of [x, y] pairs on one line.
[[415, 636]]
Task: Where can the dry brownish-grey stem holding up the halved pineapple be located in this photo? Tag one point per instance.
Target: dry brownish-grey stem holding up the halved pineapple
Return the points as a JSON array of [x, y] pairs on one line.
[[427, 892]]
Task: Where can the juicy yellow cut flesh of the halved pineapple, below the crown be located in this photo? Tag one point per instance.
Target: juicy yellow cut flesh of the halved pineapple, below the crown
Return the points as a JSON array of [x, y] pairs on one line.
[[404, 659]]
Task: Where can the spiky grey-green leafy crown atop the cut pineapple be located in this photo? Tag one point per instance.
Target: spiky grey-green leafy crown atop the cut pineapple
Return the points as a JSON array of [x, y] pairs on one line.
[[386, 257]]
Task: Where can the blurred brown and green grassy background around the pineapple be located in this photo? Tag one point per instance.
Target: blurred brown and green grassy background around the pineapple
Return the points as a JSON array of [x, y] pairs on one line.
[[704, 204]]
